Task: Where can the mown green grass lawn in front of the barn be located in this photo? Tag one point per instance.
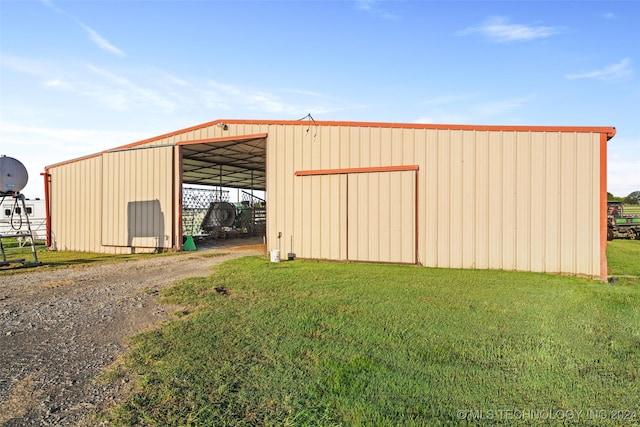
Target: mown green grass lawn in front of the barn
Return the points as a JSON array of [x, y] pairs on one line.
[[347, 344]]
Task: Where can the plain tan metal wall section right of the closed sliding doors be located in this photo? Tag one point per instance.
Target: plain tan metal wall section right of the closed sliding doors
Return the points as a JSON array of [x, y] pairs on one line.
[[512, 200]]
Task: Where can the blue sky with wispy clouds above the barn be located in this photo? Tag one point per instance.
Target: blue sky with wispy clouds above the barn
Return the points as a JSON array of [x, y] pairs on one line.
[[81, 76]]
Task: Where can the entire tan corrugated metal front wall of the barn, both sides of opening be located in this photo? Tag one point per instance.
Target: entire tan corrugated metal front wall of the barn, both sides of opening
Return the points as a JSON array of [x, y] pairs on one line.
[[513, 199]]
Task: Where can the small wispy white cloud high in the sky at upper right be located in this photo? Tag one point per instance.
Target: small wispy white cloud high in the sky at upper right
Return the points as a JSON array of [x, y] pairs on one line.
[[500, 30]]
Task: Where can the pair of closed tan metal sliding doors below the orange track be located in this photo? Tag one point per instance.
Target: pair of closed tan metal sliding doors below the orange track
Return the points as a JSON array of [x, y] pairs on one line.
[[357, 216]]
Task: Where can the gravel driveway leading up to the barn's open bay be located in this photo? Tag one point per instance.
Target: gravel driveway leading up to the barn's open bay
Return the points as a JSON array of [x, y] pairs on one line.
[[60, 328]]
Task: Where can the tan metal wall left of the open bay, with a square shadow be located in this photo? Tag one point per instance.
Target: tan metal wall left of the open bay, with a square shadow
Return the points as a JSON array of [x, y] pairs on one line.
[[118, 202]]
